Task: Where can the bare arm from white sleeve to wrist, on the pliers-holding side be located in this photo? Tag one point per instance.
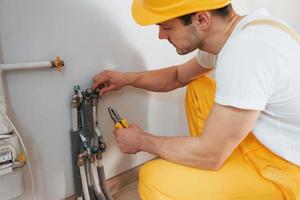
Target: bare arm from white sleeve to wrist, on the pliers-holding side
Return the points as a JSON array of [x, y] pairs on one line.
[[224, 130]]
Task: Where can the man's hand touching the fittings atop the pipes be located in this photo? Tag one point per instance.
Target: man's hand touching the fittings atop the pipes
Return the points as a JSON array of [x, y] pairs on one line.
[[115, 81]]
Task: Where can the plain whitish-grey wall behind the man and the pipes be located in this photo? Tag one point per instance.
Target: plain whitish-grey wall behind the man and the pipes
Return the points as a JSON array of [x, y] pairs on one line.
[[90, 35]]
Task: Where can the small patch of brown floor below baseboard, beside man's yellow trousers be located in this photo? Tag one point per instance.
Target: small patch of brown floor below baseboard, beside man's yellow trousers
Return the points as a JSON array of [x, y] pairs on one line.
[[129, 192]]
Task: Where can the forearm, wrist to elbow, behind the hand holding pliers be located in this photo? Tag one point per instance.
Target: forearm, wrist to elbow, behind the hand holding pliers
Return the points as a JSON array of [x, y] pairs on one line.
[[189, 151]]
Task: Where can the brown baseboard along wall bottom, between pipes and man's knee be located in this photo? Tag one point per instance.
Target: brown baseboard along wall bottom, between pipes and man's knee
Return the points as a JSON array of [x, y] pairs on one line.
[[116, 183]]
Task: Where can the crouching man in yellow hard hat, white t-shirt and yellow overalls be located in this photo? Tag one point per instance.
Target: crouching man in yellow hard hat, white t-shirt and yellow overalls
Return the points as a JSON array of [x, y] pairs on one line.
[[244, 138]]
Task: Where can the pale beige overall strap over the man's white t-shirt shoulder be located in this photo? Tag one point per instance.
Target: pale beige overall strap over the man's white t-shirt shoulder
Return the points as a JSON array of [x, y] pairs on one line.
[[277, 25]]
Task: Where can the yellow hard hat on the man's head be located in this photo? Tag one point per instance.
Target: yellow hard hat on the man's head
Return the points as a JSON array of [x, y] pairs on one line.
[[146, 12]]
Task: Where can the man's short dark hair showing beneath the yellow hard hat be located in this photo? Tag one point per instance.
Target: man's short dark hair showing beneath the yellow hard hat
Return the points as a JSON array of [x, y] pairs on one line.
[[222, 12]]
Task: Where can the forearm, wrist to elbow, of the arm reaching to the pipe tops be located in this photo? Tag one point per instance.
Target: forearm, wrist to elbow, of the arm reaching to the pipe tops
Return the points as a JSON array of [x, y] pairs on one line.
[[161, 80]]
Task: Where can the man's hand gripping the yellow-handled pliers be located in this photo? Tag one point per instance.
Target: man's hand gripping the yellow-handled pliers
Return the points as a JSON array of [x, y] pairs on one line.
[[129, 139]]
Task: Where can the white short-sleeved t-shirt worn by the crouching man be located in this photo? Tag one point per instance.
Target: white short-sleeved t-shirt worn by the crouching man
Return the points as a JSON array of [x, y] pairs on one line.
[[259, 69]]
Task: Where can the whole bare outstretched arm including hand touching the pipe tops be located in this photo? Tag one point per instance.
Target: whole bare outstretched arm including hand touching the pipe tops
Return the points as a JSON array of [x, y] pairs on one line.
[[161, 80]]
